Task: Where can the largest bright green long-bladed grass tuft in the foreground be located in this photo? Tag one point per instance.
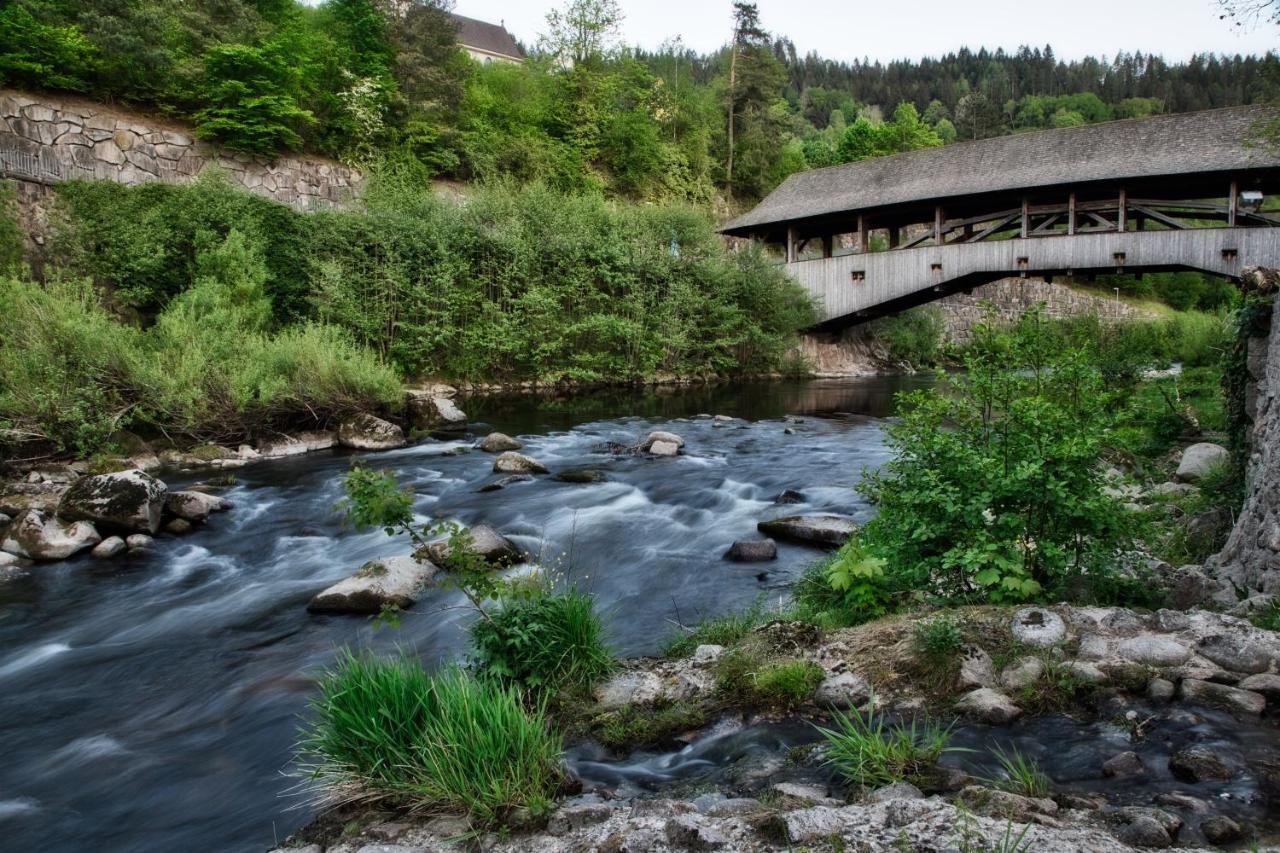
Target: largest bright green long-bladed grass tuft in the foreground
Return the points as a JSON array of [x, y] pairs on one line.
[[440, 742]]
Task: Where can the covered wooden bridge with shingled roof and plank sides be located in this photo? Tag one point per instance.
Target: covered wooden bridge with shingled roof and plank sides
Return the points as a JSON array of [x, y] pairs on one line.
[[1165, 193]]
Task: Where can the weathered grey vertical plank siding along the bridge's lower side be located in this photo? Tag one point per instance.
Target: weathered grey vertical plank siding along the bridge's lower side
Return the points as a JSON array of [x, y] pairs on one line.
[[852, 288]]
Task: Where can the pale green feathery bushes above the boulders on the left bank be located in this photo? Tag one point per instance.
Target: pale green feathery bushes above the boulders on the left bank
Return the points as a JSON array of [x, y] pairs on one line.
[[211, 368]]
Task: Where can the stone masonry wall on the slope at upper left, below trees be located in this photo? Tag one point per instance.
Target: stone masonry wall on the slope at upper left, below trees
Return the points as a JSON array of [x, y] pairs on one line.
[[47, 140]]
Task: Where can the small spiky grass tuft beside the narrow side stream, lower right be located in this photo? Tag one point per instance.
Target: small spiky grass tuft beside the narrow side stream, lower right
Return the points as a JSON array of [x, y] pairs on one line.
[[867, 751]]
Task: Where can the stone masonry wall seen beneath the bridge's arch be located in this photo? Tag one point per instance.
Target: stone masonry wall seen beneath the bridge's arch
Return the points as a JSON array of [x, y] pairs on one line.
[[1013, 297]]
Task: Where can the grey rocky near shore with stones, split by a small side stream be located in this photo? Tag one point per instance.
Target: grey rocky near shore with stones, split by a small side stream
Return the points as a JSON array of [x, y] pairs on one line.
[[1123, 665]]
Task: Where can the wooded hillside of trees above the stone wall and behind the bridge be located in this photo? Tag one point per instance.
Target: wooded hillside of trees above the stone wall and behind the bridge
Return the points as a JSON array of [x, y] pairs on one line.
[[362, 79]]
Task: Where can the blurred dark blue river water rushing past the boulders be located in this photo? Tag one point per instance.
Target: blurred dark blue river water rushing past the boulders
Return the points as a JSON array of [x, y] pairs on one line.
[[150, 704]]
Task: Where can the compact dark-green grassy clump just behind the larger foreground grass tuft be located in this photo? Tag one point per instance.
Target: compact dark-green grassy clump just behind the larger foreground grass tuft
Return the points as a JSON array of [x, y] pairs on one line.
[[542, 641]]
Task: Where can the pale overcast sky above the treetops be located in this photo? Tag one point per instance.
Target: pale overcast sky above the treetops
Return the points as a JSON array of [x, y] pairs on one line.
[[888, 30]]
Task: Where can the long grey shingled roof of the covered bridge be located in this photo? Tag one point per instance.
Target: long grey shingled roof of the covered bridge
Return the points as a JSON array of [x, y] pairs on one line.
[[1146, 148]]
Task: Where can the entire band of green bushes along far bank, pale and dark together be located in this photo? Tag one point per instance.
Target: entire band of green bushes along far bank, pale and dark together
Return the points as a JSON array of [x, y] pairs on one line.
[[204, 313]]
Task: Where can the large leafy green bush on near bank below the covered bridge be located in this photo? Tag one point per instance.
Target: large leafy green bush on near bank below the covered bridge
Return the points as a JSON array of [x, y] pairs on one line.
[[994, 490]]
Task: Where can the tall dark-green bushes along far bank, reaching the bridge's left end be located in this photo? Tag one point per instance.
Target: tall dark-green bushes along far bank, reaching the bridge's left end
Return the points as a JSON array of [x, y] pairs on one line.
[[515, 284]]
